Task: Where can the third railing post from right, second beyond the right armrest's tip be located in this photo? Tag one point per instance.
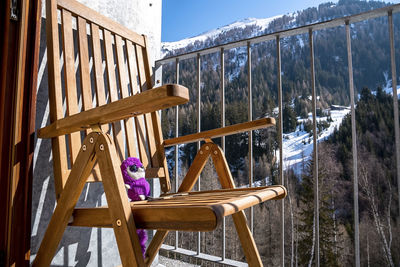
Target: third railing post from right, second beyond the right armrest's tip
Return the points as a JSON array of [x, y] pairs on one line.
[[315, 147]]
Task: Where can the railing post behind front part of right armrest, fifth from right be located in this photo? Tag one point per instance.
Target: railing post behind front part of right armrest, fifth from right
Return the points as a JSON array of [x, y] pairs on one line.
[[250, 133]]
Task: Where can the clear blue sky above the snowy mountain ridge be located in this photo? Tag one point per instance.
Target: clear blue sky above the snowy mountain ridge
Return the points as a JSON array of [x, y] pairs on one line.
[[187, 18]]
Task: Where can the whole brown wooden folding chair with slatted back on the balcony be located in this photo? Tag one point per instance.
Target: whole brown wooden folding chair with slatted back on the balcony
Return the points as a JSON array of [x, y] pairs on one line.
[[117, 119]]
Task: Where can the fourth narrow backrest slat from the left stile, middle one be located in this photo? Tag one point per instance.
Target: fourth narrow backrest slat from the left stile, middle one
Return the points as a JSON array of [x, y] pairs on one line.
[[112, 87]]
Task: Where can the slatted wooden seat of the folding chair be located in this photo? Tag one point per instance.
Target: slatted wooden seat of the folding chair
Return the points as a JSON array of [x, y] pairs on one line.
[[192, 212]]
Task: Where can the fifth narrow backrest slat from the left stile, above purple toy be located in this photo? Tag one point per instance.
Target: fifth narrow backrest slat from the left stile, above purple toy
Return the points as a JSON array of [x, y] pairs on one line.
[[123, 82]]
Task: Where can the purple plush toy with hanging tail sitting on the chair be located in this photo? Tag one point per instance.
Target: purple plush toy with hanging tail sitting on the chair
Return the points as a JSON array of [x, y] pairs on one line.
[[138, 188]]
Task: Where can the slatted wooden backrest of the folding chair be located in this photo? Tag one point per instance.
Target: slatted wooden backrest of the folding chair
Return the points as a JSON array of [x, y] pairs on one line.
[[127, 72]]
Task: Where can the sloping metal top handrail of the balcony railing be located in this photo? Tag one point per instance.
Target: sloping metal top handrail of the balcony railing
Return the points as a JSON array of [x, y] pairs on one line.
[[286, 33]]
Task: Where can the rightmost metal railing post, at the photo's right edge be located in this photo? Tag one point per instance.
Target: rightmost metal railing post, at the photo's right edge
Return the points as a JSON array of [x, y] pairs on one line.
[[395, 101]]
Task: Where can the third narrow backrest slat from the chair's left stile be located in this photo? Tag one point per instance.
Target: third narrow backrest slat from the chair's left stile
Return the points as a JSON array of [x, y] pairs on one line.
[[98, 70]]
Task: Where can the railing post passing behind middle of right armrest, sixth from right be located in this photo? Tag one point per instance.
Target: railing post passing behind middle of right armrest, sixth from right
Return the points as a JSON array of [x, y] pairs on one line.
[[222, 57]]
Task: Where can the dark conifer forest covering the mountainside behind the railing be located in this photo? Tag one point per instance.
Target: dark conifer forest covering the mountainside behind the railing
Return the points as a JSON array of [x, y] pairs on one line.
[[378, 197]]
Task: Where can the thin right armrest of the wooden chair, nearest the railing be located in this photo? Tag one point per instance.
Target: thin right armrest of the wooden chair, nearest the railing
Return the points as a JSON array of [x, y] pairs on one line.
[[228, 130]]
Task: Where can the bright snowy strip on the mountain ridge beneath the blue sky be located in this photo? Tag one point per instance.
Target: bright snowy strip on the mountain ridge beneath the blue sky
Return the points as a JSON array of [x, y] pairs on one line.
[[262, 23]]
